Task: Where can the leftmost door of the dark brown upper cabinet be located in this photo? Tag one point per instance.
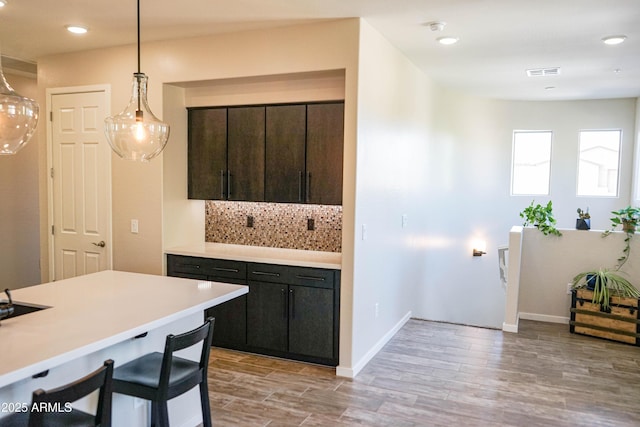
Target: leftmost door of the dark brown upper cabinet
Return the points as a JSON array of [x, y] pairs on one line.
[[207, 153]]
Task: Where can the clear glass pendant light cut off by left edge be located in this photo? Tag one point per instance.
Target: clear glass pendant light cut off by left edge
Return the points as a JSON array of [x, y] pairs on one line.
[[18, 117]]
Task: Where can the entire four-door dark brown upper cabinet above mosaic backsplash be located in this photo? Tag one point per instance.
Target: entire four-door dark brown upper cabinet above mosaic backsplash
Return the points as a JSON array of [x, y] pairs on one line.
[[276, 153]]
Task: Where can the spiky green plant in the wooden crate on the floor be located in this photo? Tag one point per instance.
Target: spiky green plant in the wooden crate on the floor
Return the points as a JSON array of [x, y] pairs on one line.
[[605, 283]]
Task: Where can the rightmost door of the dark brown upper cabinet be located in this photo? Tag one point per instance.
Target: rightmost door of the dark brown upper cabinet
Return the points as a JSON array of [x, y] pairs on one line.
[[325, 140]]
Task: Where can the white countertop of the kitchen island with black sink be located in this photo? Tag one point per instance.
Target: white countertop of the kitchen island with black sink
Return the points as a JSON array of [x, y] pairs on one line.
[[89, 313]]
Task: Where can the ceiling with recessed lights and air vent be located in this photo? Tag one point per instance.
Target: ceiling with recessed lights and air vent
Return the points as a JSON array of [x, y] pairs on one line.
[[498, 39]]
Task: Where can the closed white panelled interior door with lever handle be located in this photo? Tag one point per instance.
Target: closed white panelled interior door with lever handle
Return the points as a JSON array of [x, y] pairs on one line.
[[80, 174]]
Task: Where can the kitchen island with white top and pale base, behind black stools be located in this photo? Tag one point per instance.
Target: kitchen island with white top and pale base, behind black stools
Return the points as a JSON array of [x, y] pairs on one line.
[[104, 315]]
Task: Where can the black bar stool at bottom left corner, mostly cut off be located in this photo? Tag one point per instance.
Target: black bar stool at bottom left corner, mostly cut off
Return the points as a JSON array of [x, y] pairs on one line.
[[49, 408]]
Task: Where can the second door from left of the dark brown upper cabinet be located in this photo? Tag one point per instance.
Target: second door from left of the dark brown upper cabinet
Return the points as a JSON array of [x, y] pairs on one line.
[[245, 138]]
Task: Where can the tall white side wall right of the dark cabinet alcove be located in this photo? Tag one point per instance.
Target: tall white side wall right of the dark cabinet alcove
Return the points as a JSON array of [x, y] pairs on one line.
[[394, 113]]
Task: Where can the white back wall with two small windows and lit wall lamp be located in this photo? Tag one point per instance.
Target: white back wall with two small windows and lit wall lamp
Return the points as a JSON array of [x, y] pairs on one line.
[[468, 194]]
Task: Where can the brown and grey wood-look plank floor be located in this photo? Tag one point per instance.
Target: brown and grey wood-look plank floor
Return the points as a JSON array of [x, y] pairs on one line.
[[438, 374]]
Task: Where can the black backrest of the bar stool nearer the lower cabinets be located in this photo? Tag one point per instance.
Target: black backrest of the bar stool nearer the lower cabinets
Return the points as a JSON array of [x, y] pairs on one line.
[[202, 334]]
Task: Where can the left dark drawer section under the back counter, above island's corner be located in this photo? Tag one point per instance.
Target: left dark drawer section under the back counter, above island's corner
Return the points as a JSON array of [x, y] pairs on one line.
[[212, 268]]
